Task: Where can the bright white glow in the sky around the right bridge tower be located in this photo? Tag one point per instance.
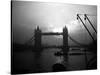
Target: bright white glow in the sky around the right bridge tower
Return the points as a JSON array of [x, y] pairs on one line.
[[72, 26]]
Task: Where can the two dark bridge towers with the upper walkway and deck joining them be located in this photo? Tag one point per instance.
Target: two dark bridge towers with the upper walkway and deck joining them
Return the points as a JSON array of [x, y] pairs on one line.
[[38, 36]]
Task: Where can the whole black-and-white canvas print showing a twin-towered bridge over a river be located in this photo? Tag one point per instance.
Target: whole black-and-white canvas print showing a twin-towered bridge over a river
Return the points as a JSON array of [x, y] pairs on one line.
[[52, 37]]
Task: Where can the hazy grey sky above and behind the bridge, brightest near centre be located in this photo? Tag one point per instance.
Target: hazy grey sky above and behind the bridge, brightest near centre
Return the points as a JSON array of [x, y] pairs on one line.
[[51, 17]]
